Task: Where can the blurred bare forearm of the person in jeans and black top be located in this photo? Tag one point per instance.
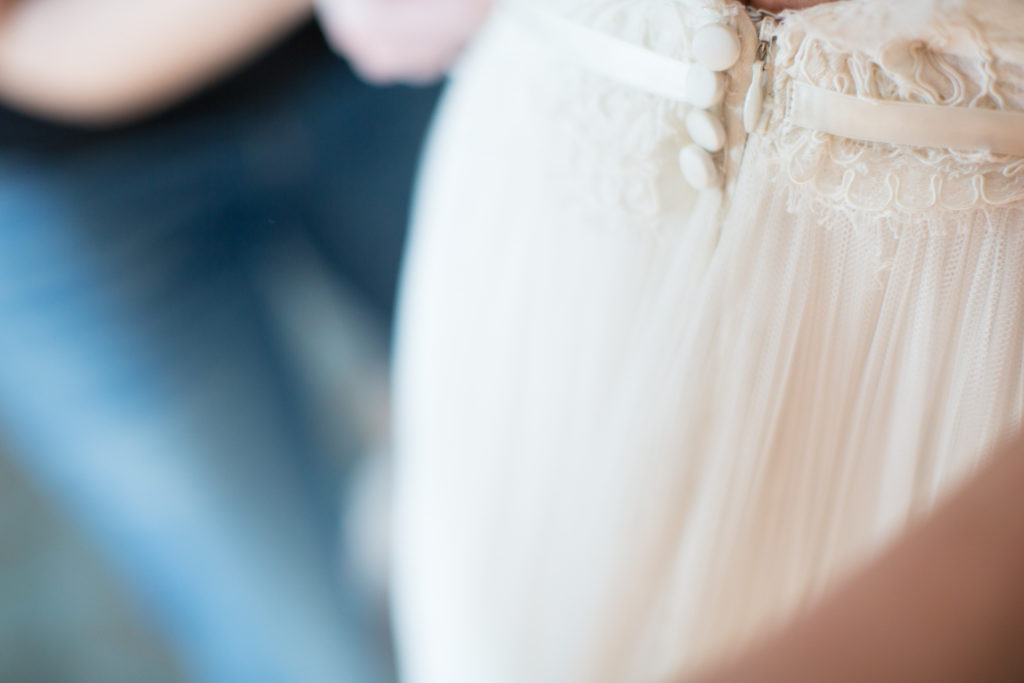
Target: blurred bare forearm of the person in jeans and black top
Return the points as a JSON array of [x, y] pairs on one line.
[[102, 62]]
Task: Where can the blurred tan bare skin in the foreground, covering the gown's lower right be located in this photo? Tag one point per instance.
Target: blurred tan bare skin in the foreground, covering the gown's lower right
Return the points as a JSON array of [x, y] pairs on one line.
[[944, 605]]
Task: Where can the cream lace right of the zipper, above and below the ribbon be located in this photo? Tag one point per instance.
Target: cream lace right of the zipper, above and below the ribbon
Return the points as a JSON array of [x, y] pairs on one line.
[[953, 64]]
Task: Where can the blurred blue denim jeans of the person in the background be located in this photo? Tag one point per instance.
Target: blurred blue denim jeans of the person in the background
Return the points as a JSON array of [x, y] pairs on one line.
[[144, 383]]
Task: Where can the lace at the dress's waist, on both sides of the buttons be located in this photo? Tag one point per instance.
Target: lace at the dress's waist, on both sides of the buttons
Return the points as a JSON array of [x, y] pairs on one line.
[[952, 54]]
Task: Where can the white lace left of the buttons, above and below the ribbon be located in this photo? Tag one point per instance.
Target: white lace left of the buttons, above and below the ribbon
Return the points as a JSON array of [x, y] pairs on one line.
[[614, 150]]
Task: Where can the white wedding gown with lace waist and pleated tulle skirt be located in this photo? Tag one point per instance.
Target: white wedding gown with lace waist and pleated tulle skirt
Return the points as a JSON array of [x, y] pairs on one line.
[[641, 424]]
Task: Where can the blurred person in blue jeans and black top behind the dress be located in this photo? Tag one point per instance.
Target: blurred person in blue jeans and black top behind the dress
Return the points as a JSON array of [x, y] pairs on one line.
[[158, 204]]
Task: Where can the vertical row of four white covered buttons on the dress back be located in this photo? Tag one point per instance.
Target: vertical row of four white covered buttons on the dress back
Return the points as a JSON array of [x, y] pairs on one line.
[[717, 49]]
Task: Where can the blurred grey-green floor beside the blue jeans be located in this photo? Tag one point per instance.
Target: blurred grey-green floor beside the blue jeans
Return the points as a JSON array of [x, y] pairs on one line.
[[64, 619]]
